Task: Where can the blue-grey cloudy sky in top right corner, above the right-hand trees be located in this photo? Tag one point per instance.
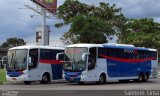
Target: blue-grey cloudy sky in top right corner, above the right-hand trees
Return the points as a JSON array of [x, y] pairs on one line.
[[139, 8]]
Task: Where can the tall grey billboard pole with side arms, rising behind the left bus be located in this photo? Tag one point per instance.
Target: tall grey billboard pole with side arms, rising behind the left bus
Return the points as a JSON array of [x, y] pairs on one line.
[[42, 36]]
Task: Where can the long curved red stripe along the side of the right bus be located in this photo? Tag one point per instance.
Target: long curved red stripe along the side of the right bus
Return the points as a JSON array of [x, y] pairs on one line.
[[127, 60]]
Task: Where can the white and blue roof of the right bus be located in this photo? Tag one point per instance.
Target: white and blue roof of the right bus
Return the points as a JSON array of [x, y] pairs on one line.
[[112, 45]]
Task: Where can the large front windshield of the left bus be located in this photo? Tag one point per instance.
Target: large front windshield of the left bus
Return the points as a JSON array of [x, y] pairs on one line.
[[17, 60]]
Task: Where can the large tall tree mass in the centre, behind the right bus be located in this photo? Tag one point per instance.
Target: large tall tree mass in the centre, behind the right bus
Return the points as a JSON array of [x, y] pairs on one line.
[[88, 21]]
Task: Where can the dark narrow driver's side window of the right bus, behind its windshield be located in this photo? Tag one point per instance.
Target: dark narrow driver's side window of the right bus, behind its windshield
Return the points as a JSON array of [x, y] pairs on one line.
[[92, 58]]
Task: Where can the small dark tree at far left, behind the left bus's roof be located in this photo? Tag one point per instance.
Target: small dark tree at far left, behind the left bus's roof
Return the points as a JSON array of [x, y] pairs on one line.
[[12, 42]]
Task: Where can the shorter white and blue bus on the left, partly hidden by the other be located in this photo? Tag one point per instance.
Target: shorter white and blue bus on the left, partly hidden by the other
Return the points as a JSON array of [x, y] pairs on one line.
[[33, 63]]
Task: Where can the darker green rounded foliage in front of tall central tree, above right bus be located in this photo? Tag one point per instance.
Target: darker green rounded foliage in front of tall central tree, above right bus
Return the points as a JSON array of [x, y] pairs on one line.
[[85, 28]]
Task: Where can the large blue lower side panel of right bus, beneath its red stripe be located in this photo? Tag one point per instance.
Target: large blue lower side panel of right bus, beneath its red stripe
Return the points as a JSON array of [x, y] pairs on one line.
[[123, 69]]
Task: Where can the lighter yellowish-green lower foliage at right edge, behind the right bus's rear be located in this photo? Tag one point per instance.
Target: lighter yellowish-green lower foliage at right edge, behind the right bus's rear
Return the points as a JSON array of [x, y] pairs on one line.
[[143, 39]]
